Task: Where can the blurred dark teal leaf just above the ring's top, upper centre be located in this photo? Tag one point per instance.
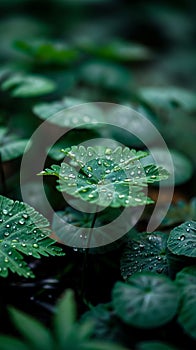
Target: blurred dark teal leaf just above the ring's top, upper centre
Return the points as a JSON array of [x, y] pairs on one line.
[[105, 75]]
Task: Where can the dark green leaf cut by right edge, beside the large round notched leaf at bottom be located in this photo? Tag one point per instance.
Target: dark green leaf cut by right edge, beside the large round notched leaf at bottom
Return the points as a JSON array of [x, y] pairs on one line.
[[186, 280]]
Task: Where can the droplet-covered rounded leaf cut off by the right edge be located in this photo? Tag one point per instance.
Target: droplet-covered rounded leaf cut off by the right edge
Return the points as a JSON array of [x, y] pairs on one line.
[[182, 239]]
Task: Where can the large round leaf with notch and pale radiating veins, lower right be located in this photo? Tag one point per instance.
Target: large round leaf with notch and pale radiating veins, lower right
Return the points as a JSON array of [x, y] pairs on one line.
[[147, 301]]
